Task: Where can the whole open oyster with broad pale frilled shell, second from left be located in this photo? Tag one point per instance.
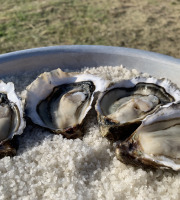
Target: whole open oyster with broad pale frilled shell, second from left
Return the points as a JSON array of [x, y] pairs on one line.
[[59, 102]]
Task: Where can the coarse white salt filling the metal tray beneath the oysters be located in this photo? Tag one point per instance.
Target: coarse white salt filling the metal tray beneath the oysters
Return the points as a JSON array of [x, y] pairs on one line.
[[49, 167]]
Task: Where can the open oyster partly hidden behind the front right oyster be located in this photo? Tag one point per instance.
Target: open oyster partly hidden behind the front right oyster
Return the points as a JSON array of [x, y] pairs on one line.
[[123, 106]]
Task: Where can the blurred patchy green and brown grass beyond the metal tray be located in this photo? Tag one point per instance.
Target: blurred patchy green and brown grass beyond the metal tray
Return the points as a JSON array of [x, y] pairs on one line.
[[143, 24]]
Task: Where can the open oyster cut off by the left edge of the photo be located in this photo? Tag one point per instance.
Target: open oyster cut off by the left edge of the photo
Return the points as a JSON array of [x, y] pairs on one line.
[[11, 118]]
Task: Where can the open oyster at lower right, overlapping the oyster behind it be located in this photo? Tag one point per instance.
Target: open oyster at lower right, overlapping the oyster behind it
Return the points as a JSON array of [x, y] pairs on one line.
[[156, 142]]
